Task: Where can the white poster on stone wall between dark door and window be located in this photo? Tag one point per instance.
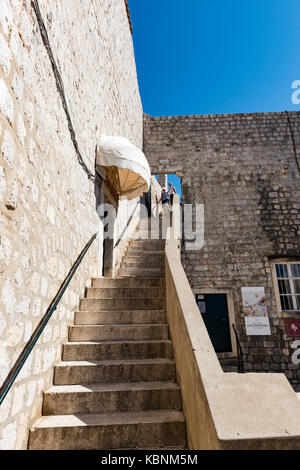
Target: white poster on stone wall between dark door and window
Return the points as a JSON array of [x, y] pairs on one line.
[[255, 309]]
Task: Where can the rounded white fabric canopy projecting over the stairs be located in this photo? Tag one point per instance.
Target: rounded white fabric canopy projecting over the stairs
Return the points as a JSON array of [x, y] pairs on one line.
[[133, 168]]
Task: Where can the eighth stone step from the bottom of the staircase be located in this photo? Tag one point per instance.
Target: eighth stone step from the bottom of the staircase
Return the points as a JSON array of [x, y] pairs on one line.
[[124, 292]]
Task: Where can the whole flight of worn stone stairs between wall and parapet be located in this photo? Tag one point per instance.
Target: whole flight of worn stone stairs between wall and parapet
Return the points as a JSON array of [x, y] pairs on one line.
[[115, 387]]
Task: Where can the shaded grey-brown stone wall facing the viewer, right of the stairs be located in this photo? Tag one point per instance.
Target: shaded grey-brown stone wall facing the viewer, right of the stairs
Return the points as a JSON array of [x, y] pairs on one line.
[[242, 168]]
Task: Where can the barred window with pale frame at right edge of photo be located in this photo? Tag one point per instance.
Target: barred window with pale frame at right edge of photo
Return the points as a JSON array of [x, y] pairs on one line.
[[288, 278]]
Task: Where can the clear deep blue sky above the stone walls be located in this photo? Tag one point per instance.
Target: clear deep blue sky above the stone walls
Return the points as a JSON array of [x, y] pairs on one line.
[[224, 56]]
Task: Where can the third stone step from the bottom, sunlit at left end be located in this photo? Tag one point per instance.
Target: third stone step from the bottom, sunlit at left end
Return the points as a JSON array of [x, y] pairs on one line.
[[114, 371]]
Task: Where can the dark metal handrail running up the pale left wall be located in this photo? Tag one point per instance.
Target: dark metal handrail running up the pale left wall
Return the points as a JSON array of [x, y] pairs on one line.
[[8, 382]]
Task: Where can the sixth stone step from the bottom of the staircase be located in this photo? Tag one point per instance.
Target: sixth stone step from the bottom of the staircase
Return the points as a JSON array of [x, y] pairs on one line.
[[122, 317]]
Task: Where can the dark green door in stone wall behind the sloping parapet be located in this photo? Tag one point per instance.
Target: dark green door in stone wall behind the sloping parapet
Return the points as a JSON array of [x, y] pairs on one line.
[[214, 311]]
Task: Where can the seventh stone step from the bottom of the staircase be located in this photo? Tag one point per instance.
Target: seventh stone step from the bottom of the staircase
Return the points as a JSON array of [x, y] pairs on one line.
[[99, 305]]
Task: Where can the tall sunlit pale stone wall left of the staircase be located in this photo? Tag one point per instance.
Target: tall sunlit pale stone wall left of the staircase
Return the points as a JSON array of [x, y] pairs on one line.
[[47, 203]]
